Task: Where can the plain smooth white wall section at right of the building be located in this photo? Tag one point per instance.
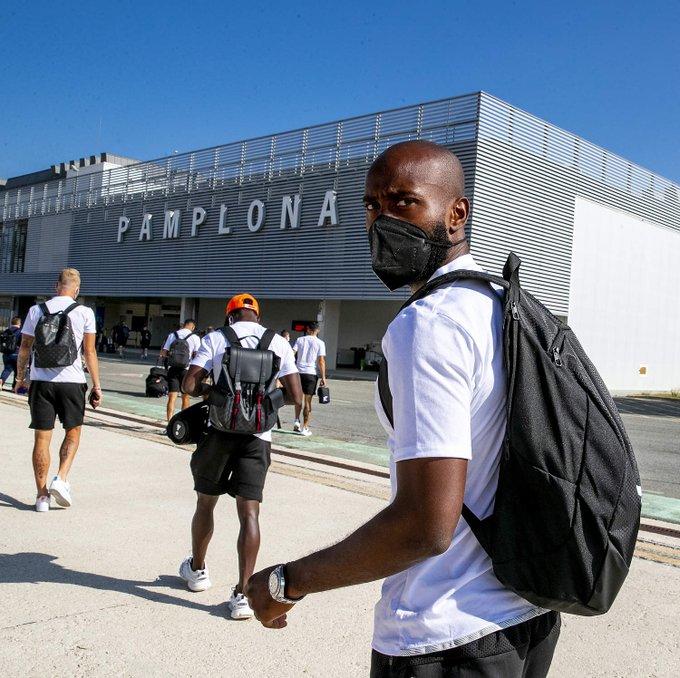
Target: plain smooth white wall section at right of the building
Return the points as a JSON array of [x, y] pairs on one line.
[[624, 301]]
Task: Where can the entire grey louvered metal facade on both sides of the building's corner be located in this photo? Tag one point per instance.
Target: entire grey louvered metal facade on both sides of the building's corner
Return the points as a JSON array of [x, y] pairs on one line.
[[523, 176]]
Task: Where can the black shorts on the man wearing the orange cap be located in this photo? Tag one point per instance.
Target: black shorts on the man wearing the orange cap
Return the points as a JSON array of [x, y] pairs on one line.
[[225, 463]]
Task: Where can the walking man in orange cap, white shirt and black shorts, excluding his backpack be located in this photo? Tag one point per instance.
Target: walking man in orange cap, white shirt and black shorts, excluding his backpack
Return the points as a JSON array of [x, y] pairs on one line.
[[234, 464]]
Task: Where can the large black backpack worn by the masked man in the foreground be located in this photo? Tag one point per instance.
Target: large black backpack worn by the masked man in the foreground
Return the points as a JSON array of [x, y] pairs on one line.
[[567, 508]]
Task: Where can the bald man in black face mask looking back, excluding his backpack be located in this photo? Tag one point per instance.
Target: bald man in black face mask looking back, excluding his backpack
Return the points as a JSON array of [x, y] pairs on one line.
[[442, 610]]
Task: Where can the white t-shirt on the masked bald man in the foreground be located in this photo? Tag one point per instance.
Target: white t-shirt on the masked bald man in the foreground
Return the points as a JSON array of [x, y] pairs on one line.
[[446, 375]]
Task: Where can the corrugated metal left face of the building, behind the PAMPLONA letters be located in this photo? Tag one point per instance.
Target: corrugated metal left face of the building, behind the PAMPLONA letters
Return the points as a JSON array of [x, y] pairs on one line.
[[315, 262]]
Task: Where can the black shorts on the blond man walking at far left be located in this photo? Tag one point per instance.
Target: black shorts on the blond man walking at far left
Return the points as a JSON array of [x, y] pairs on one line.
[[50, 399]]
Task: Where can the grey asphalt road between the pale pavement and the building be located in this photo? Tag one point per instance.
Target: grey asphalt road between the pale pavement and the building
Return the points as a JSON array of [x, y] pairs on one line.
[[653, 424]]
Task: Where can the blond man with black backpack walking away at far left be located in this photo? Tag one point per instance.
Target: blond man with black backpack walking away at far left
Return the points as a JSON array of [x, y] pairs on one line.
[[58, 390]]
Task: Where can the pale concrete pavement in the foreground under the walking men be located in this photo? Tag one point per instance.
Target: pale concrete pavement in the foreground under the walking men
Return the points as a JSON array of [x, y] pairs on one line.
[[93, 591]]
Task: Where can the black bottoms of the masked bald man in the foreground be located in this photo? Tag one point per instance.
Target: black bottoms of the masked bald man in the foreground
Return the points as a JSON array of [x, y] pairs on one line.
[[521, 651]]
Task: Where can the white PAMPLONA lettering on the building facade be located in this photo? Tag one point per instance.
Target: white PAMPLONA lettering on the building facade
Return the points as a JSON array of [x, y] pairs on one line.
[[291, 208]]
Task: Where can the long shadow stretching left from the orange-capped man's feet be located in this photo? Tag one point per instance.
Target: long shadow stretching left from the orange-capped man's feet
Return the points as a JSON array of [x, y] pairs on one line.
[[36, 568]]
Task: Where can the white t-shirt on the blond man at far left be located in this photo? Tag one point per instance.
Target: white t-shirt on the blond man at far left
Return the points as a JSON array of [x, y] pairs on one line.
[[82, 322]]
